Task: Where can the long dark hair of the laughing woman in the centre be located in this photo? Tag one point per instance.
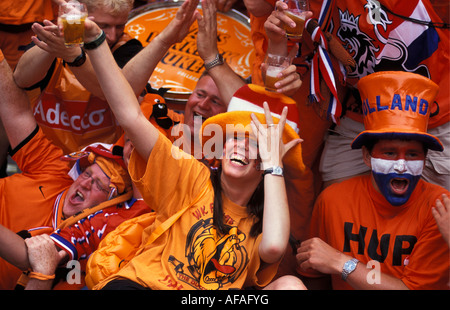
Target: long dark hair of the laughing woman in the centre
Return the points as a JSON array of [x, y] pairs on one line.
[[255, 206]]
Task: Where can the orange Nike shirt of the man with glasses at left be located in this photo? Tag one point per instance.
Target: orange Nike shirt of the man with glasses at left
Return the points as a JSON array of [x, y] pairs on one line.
[[33, 198]]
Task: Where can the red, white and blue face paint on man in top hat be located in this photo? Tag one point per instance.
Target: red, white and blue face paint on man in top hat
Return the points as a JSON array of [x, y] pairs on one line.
[[396, 179]]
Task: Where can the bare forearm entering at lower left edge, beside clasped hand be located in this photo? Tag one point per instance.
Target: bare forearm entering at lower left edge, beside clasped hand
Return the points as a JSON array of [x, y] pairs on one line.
[[13, 249]]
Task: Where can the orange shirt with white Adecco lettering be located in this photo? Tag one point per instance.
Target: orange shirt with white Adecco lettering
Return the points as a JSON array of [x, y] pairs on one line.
[[70, 116]]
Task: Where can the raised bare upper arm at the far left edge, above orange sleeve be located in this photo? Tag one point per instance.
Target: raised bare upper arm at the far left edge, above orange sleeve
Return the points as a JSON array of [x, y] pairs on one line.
[[15, 111]]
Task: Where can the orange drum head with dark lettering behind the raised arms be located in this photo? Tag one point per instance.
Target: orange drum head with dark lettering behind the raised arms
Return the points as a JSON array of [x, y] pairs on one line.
[[181, 67]]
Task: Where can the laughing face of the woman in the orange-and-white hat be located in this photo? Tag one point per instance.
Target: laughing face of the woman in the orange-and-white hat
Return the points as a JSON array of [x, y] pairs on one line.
[[240, 159]]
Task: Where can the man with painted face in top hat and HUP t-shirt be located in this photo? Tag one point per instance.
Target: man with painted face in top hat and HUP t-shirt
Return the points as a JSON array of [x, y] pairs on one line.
[[377, 231]]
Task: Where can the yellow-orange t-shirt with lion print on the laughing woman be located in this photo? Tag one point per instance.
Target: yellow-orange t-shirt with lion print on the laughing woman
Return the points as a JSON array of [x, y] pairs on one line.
[[190, 254]]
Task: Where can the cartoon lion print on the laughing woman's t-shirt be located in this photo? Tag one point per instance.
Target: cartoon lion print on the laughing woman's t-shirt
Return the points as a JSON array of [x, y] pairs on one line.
[[214, 259]]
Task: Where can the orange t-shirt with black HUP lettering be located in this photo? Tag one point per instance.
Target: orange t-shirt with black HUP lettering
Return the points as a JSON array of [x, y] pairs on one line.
[[355, 219]]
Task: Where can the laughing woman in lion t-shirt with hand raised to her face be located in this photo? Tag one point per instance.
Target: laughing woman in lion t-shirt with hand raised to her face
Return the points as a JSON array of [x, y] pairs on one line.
[[205, 247]]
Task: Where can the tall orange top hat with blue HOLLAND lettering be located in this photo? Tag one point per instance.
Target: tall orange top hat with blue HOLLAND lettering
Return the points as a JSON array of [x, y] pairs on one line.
[[396, 105]]
